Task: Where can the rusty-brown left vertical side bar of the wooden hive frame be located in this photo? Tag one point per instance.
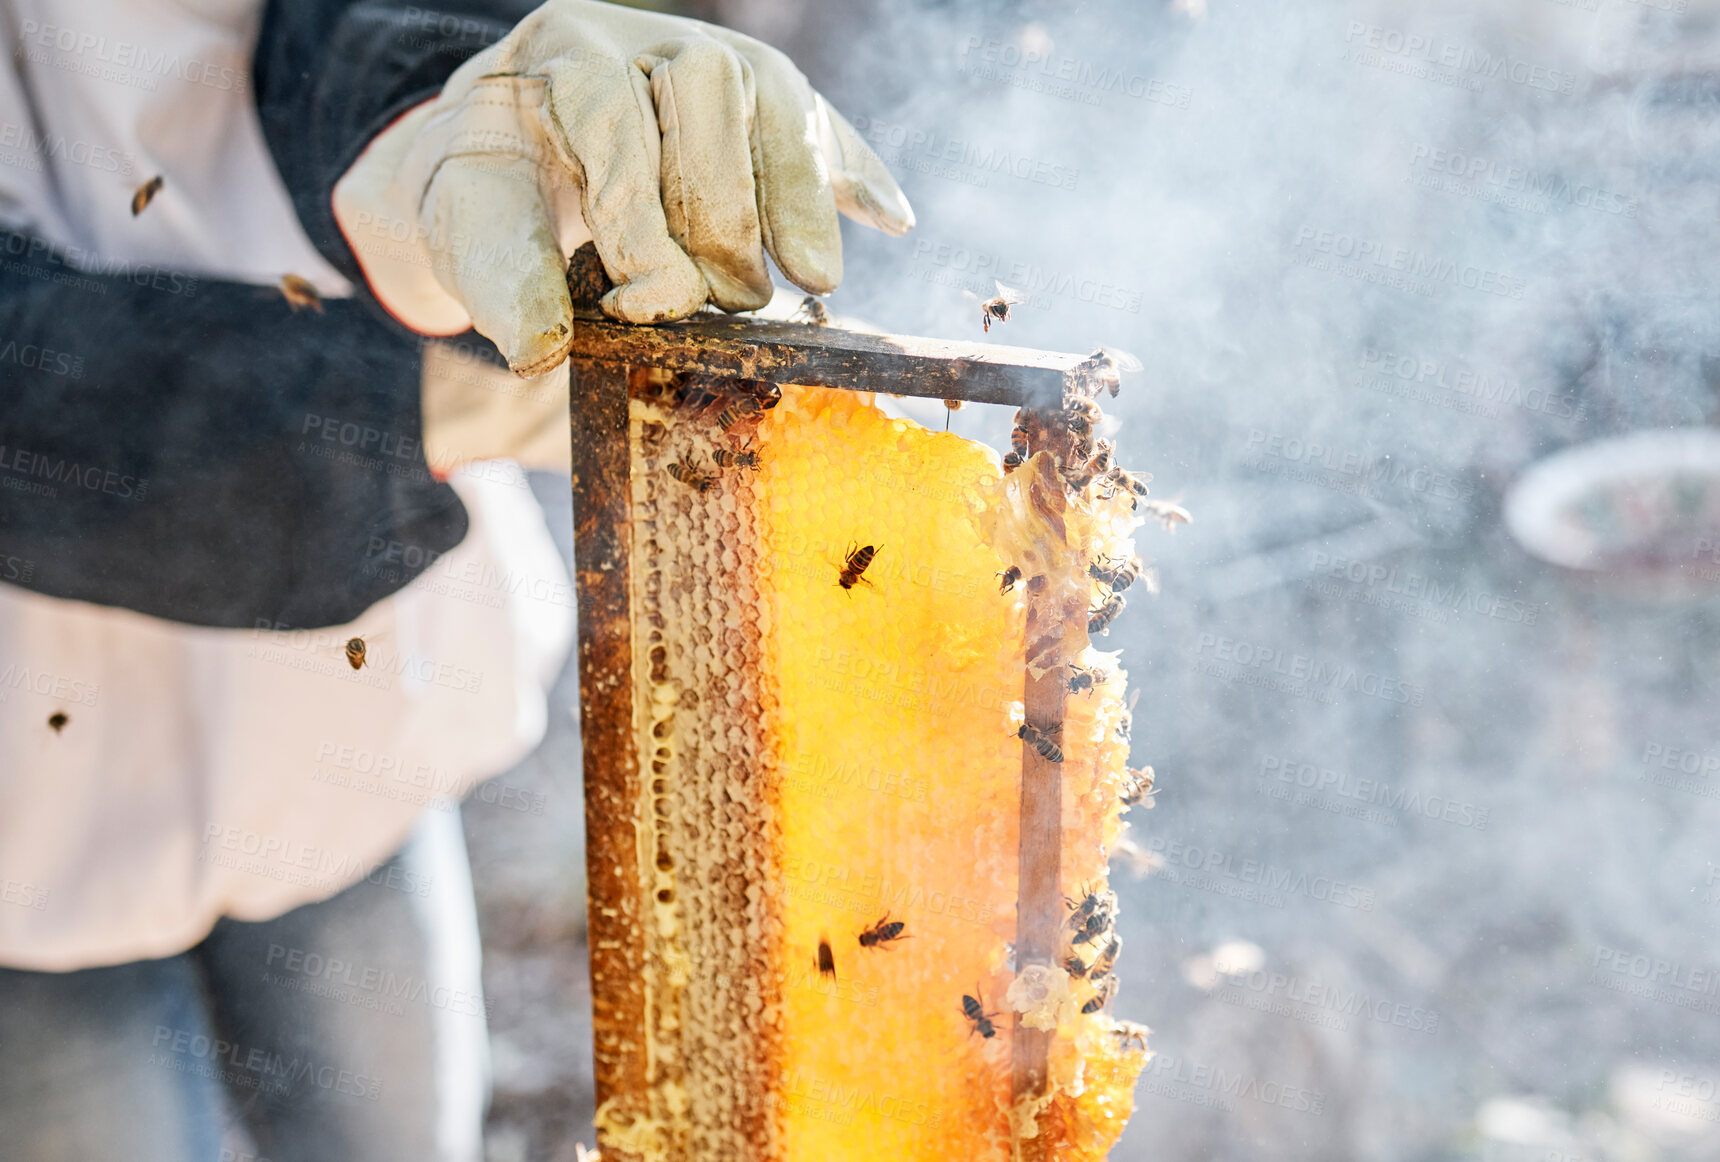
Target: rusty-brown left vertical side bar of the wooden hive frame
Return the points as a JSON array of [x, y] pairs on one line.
[[615, 926]]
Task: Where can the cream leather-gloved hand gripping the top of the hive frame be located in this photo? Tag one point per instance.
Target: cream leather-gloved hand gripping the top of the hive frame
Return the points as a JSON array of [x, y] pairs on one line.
[[682, 149]]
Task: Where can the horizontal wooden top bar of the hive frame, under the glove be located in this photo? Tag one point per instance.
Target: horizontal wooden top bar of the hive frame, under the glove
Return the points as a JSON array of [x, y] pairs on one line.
[[828, 357]]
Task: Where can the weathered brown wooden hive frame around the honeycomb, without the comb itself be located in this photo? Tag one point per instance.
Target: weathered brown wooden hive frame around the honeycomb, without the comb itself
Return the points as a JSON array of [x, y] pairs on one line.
[[606, 360]]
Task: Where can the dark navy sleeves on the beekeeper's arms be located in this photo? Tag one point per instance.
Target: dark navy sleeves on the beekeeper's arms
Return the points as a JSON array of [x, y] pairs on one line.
[[197, 450]]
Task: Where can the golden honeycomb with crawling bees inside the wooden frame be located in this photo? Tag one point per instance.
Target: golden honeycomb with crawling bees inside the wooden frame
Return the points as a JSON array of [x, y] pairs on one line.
[[826, 762]]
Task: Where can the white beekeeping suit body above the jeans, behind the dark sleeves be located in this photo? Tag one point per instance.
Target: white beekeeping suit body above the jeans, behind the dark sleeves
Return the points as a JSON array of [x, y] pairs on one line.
[[204, 773]]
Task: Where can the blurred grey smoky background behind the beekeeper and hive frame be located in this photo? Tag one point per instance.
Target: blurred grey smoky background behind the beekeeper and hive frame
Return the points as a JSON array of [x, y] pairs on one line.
[[1435, 865]]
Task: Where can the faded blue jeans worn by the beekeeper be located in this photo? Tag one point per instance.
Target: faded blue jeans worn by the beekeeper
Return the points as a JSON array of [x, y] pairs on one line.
[[350, 1031]]
